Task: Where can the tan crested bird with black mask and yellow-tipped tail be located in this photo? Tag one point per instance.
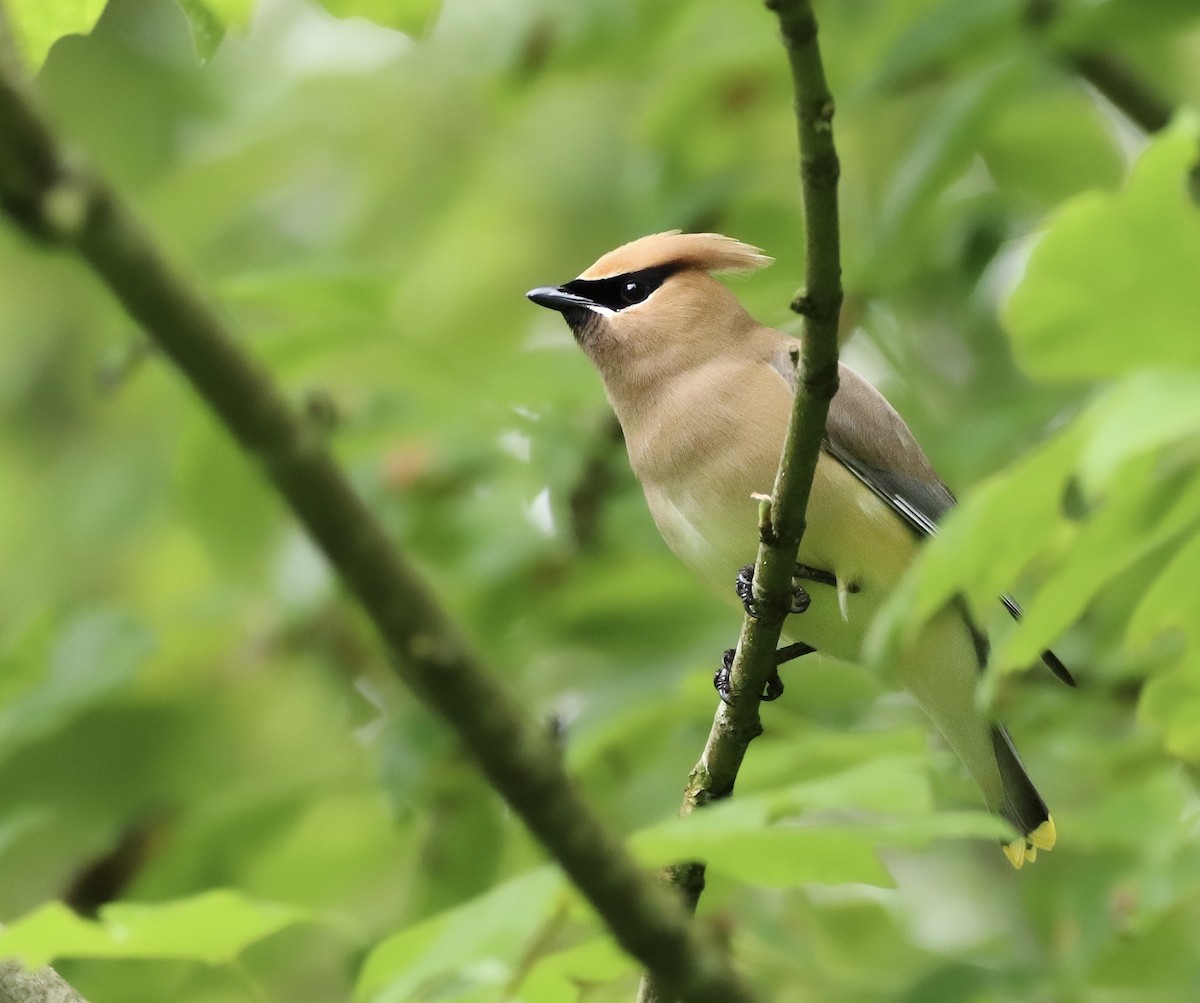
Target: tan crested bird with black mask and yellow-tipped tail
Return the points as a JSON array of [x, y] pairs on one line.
[[704, 394]]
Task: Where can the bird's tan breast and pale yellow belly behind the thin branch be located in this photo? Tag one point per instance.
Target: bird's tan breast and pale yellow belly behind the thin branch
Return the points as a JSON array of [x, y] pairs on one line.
[[705, 446]]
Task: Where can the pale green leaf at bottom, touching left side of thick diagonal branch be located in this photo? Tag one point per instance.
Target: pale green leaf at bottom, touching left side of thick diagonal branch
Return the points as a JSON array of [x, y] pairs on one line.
[[476, 945]]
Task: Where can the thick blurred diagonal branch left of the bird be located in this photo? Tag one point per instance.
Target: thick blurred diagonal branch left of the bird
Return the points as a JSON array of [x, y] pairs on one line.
[[59, 202]]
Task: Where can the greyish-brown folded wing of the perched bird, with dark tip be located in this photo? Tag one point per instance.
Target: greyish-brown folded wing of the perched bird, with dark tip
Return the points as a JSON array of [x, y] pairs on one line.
[[869, 439]]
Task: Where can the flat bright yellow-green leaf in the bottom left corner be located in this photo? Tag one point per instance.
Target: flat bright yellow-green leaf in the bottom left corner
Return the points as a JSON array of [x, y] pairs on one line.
[[213, 928]]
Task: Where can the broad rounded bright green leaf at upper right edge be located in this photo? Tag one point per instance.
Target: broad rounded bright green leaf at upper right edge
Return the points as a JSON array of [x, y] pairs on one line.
[[1089, 309]]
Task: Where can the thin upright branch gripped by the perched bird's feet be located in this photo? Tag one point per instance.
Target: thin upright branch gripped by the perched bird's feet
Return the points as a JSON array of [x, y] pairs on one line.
[[782, 520]]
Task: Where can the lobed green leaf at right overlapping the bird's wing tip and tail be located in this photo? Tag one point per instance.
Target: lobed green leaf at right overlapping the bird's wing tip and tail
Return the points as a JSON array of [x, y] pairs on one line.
[[1107, 458]]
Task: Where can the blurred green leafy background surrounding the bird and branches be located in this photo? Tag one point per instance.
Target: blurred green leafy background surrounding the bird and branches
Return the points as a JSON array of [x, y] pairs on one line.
[[200, 742]]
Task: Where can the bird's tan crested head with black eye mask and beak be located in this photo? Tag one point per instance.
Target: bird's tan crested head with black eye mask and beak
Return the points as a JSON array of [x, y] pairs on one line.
[[655, 298]]
